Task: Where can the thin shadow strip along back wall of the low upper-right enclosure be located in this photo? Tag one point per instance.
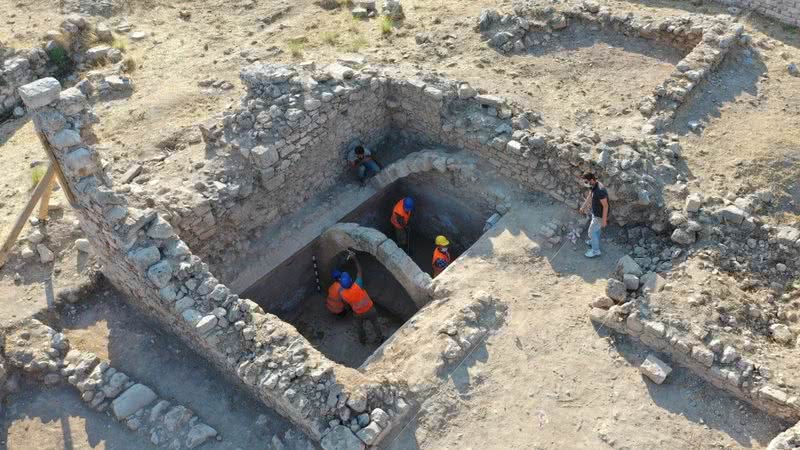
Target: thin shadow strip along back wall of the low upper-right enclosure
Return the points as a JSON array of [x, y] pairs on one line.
[[580, 36]]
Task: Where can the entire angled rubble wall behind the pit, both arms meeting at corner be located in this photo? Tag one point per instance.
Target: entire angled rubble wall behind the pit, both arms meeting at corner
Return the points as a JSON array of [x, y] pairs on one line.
[[296, 121]]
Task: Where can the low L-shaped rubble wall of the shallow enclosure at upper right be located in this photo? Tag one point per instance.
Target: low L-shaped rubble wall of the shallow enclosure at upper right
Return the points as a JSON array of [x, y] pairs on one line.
[[707, 41]]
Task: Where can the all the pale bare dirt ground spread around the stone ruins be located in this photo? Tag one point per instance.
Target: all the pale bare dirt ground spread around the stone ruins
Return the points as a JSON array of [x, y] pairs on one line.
[[547, 379]]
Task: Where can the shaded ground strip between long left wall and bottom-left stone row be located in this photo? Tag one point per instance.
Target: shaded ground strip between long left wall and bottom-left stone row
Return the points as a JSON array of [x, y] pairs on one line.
[[106, 324]]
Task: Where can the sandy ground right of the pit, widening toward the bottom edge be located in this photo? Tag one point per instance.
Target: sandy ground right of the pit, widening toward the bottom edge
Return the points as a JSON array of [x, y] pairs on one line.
[[549, 379]]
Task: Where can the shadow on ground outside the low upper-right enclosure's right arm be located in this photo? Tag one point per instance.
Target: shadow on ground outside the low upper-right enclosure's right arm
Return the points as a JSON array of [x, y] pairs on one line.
[[738, 75]]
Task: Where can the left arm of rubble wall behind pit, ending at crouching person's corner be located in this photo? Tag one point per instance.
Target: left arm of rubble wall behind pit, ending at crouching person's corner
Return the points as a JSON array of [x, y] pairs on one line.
[[286, 143]]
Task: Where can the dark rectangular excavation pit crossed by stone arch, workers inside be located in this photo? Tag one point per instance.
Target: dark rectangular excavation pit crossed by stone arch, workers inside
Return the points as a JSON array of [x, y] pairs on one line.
[[291, 290]]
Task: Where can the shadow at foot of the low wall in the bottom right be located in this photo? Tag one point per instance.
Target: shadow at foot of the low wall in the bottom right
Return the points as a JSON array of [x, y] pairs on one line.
[[690, 396]]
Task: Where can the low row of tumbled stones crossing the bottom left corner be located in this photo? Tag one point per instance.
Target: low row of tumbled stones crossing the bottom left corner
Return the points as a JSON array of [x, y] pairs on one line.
[[41, 353]]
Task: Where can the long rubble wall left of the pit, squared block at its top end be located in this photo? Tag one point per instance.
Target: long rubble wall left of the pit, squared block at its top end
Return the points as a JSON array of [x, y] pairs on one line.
[[143, 257]]
